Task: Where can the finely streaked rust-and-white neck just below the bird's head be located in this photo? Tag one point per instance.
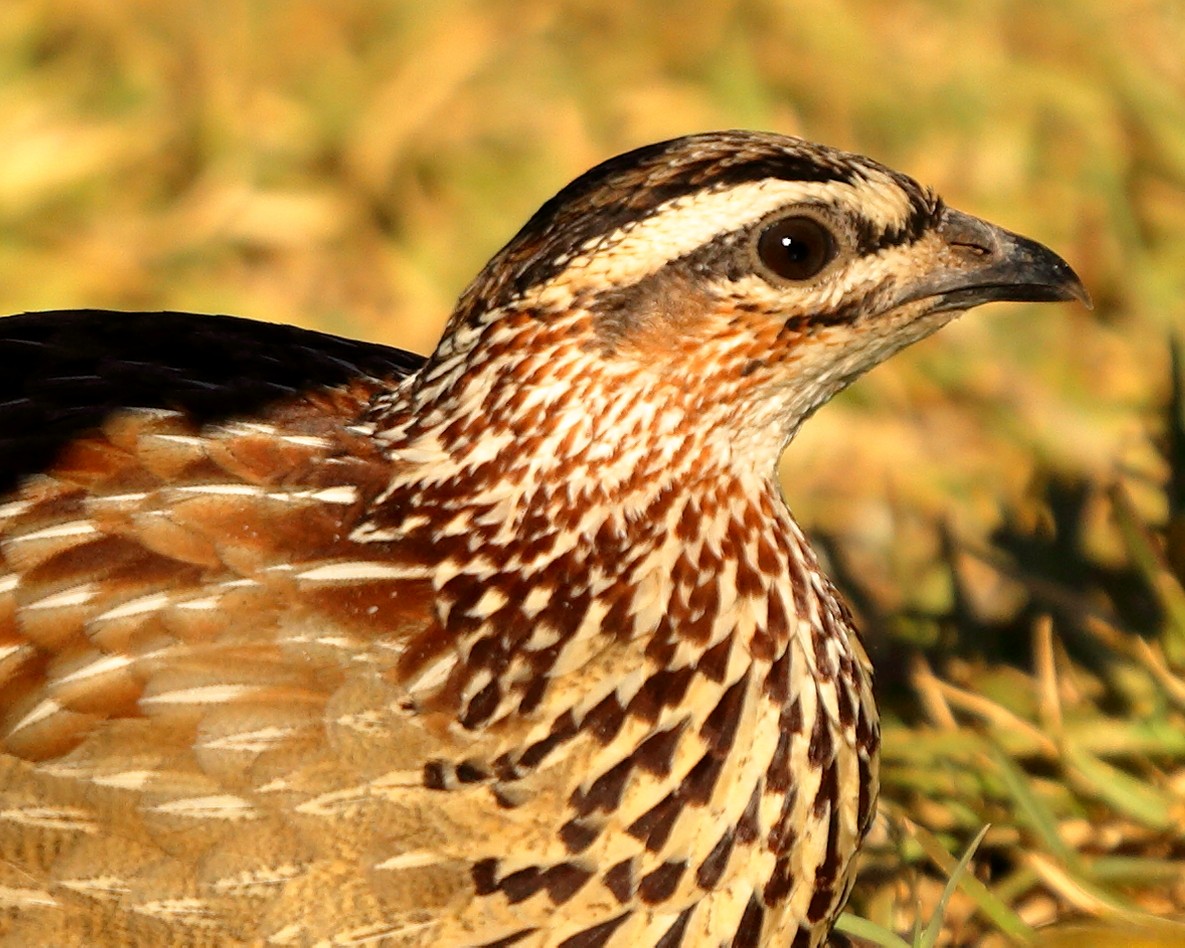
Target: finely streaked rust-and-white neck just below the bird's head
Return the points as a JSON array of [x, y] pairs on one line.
[[529, 406]]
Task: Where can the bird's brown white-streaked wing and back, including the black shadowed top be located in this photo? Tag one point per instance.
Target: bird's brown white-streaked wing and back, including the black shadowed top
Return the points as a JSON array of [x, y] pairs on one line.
[[183, 617]]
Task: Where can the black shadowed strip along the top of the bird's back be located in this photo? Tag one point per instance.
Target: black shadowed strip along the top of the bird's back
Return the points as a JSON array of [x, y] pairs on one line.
[[67, 373]]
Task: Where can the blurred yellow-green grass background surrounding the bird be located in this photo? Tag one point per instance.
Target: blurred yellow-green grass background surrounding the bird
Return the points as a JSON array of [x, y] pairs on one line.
[[1002, 503]]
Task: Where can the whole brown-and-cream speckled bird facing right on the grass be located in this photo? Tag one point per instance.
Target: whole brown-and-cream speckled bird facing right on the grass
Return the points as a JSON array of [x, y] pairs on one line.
[[315, 642]]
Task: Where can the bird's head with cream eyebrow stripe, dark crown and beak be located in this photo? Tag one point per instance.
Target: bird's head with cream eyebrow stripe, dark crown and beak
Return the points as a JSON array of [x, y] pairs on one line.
[[745, 277]]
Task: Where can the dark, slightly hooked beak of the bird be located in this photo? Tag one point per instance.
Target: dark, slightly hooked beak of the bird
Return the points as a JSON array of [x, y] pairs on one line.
[[984, 264]]
